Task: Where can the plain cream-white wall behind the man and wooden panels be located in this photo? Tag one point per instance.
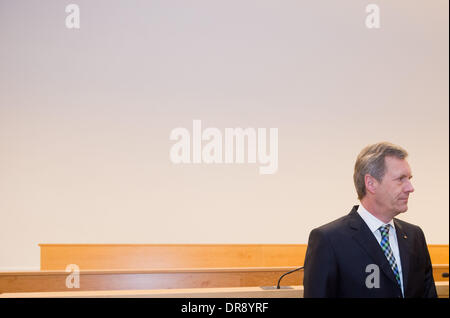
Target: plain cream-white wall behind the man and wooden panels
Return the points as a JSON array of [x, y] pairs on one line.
[[85, 117]]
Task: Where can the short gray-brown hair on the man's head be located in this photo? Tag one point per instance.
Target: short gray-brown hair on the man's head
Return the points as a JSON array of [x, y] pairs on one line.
[[371, 161]]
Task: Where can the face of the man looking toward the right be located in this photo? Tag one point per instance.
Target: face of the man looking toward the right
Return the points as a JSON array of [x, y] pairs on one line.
[[393, 191]]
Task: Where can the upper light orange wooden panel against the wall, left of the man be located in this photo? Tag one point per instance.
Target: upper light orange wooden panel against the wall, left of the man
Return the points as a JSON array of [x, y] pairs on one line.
[[138, 256]]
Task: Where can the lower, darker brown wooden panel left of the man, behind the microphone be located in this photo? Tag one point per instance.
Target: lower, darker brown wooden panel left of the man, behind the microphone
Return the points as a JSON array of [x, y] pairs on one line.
[[43, 281]]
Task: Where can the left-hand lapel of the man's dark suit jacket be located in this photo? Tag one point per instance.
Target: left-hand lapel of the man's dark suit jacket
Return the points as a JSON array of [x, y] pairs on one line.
[[369, 243]]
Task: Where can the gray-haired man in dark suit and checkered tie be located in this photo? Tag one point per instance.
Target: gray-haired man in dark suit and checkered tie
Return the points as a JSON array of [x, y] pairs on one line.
[[369, 253]]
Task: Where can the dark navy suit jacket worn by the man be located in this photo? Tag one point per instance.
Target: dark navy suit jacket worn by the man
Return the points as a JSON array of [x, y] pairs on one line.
[[339, 252]]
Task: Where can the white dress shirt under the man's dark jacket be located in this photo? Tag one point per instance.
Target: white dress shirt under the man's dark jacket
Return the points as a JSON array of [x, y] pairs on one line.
[[374, 224]]
